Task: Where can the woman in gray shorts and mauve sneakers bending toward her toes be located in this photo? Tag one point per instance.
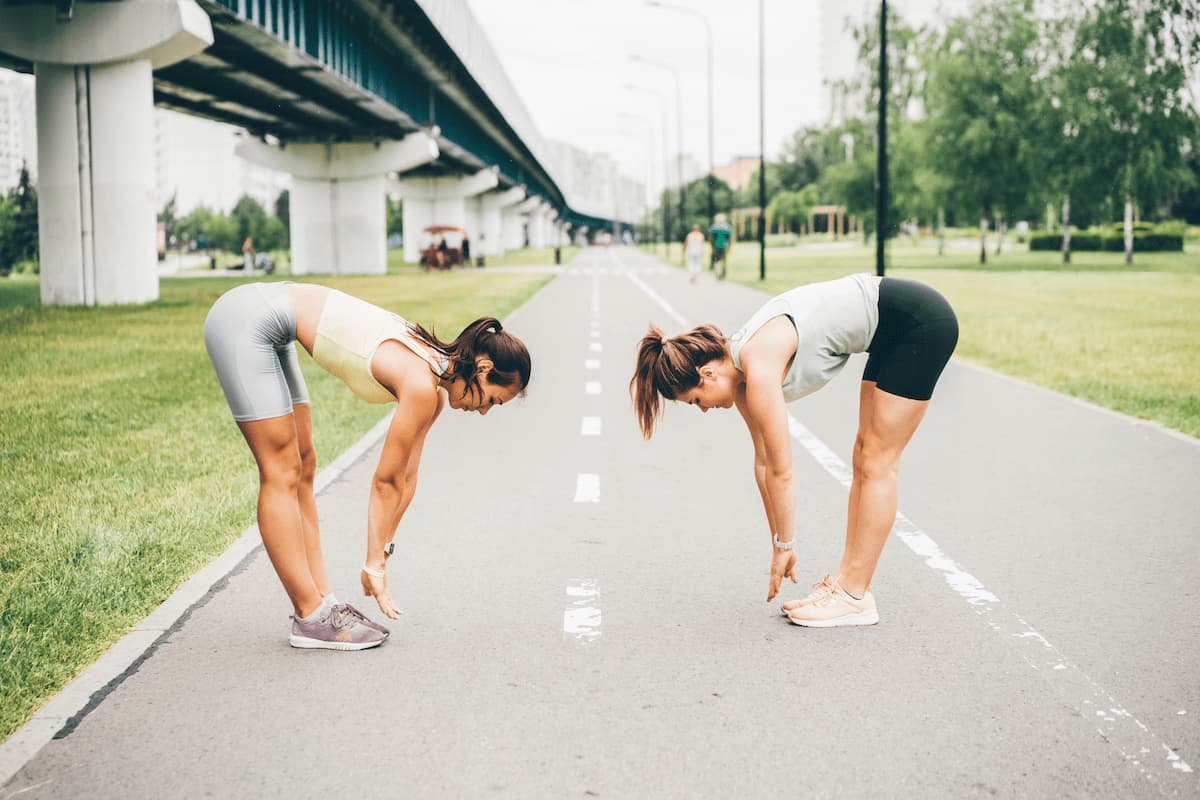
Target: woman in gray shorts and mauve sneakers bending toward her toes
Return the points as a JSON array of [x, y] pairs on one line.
[[383, 359]]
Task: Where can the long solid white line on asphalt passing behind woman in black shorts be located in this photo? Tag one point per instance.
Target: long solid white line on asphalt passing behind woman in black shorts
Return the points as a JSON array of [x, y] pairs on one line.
[[1133, 741]]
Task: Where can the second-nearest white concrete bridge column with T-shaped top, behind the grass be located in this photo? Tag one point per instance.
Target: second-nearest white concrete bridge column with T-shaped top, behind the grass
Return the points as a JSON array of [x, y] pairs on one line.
[[338, 203]]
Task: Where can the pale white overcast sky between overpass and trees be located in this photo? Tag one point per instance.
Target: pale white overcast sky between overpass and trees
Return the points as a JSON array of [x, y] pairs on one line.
[[571, 63]]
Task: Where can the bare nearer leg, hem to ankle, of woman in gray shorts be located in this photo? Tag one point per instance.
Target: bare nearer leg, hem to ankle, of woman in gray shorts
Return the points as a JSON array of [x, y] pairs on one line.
[[274, 443]]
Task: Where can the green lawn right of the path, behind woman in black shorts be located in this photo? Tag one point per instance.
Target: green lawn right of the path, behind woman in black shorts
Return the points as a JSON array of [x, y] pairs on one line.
[[1119, 336]]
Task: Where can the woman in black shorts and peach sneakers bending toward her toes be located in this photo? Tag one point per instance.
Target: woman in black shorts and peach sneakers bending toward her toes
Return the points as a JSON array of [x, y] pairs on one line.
[[791, 347]]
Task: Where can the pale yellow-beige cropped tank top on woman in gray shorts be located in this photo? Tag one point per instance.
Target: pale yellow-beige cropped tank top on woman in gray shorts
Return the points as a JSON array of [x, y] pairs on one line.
[[349, 335]]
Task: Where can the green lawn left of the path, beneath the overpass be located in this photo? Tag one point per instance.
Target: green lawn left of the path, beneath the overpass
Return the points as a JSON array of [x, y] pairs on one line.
[[123, 471]]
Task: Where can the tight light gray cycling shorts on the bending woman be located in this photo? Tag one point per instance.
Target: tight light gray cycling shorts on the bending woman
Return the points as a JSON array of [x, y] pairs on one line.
[[249, 335]]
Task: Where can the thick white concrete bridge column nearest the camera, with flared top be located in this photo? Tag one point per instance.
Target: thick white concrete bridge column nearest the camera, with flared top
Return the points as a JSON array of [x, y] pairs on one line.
[[95, 139]]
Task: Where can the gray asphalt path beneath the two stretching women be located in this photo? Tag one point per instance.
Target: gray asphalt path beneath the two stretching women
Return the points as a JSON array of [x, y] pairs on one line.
[[586, 611]]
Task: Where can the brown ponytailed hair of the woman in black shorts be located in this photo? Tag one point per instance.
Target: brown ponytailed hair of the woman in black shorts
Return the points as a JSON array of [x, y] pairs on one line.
[[668, 368]]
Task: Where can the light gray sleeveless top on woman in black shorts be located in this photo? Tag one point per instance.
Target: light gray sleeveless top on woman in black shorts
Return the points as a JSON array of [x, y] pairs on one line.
[[832, 320]]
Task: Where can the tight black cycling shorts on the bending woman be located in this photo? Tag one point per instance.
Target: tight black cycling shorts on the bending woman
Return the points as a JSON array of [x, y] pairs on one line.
[[915, 340]]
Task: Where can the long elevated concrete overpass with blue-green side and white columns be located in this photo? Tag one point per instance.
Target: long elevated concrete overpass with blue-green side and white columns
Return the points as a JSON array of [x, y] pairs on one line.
[[352, 99]]
